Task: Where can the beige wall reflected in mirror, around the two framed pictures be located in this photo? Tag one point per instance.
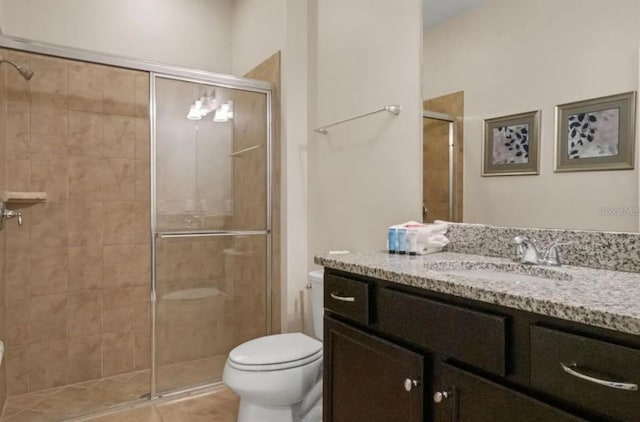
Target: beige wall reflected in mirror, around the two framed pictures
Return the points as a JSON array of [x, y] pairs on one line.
[[513, 56]]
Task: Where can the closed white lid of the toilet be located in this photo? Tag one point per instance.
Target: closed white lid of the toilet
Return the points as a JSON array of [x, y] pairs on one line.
[[276, 350]]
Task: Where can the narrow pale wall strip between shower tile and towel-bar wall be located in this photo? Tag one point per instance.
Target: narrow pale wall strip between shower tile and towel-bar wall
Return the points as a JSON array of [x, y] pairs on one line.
[[298, 76]]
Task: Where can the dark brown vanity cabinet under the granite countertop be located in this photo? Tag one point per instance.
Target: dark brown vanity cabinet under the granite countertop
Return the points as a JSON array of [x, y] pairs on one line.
[[397, 353]]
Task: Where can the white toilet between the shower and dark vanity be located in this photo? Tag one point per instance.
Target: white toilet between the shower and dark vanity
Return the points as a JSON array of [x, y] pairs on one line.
[[279, 377]]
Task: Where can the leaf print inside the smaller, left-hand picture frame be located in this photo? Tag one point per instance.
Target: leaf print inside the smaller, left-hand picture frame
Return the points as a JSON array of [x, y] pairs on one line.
[[511, 144]]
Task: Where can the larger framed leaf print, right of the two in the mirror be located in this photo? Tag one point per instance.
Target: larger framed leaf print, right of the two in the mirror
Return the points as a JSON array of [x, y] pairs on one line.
[[596, 134]]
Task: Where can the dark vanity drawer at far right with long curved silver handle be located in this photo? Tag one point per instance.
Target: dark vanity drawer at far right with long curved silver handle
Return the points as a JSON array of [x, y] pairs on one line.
[[590, 363]]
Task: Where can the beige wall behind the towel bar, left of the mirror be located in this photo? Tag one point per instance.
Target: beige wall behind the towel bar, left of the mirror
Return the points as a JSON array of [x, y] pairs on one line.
[[367, 174]]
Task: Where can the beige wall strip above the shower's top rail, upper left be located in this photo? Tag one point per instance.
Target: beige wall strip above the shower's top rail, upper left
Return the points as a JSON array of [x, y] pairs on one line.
[[190, 33]]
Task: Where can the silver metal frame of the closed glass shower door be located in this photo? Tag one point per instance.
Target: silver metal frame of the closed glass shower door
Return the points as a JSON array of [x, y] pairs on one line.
[[153, 76]]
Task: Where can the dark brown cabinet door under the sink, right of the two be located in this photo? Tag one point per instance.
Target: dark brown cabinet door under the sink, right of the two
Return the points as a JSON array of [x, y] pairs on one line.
[[474, 399]]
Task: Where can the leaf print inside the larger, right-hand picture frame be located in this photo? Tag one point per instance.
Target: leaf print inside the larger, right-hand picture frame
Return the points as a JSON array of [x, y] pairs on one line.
[[594, 134]]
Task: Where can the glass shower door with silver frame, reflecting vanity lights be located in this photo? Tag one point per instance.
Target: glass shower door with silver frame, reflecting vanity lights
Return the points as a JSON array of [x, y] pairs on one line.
[[211, 231]]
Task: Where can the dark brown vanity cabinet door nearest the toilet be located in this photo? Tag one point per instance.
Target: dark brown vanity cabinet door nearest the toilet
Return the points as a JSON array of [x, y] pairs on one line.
[[369, 379]]
